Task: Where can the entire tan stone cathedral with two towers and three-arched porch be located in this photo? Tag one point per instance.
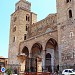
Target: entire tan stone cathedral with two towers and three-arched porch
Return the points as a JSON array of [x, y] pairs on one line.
[[44, 45]]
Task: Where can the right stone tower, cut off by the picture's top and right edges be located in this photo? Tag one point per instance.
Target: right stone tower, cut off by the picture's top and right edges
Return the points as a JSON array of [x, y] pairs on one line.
[[66, 31]]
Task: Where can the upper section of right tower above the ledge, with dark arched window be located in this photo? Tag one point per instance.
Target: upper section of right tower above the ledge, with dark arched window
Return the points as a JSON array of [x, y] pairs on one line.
[[65, 9]]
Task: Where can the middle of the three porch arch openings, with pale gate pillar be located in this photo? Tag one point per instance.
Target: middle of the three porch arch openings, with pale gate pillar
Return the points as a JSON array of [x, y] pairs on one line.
[[36, 51]]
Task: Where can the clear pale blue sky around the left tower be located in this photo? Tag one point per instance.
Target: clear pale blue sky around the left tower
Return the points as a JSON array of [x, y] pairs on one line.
[[41, 7]]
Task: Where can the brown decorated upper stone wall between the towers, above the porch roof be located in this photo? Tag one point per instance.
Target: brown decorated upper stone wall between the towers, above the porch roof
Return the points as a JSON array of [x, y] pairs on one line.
[[46, 25]]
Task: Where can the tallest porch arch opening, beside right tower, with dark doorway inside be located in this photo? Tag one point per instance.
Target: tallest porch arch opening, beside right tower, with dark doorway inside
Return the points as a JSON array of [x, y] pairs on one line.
[[52, 55]]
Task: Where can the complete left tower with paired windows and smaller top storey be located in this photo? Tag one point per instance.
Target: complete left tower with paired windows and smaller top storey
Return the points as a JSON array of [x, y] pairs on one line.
[[21, 21]]
